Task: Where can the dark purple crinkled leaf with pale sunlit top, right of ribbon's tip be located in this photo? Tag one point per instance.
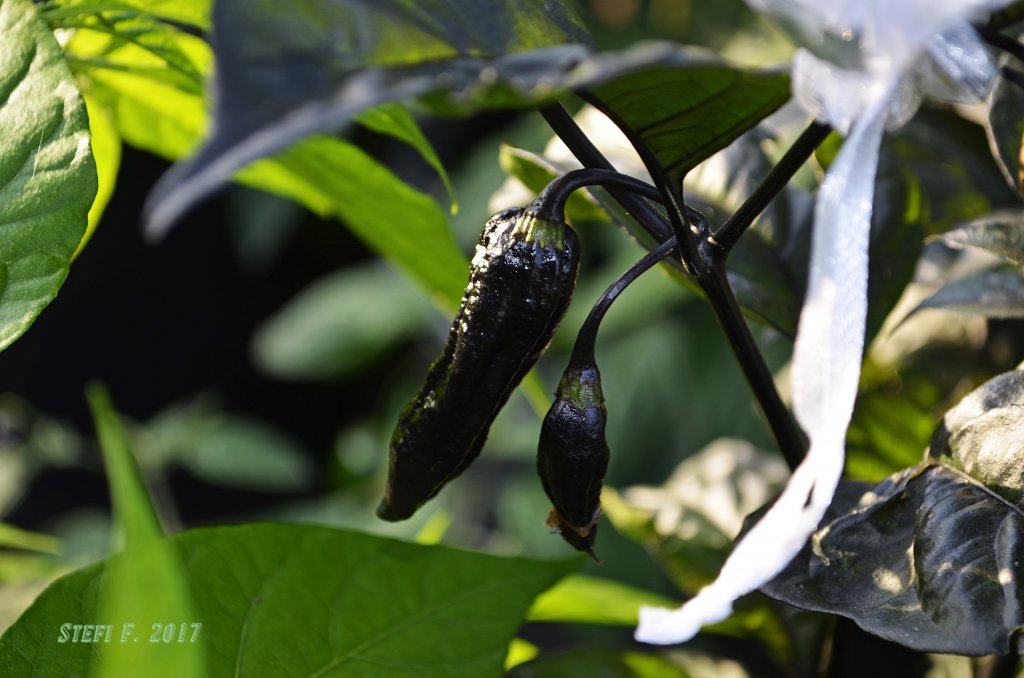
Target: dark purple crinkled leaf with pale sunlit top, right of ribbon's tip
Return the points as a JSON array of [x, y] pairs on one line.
[[930, 559]]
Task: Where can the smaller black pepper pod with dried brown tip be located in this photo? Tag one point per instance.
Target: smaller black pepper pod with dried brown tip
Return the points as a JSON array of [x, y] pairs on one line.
[[573, 455]]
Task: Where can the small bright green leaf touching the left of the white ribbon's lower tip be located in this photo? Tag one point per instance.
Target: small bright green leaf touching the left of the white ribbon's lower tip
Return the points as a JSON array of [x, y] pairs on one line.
[[586, 600]]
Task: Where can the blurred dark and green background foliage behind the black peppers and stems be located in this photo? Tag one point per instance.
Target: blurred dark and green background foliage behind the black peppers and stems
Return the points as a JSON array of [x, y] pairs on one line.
[[262, 355]]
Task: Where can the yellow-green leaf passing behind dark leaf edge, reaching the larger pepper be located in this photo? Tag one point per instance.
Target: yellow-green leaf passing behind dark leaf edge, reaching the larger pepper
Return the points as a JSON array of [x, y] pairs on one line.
[[328, 176]]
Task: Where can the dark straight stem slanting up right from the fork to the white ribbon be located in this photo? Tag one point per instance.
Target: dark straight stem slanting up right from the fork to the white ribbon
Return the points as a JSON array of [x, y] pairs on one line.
[[728, 237]]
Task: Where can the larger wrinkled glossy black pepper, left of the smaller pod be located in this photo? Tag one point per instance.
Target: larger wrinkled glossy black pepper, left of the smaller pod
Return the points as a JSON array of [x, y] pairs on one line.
[[520, 287]]
